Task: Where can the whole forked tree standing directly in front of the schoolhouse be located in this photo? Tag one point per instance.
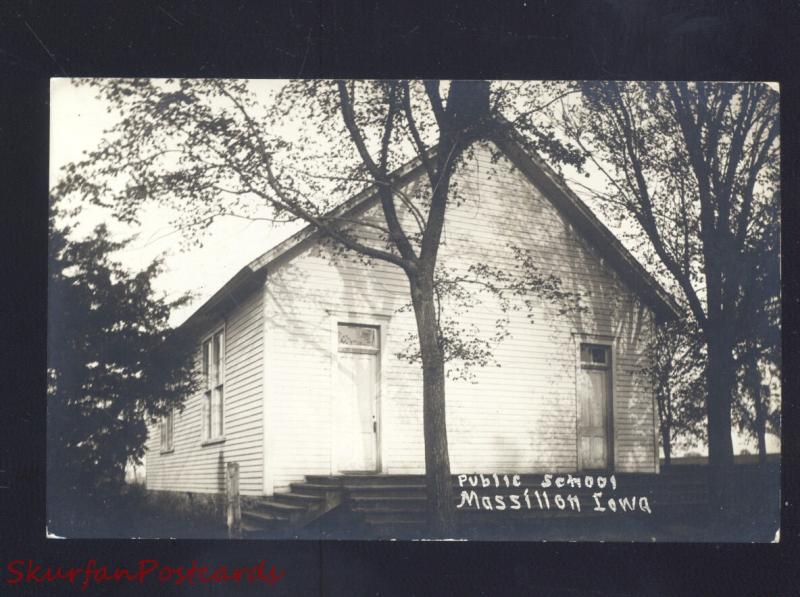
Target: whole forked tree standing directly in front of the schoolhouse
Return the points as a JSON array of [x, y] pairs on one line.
[[213, 148]]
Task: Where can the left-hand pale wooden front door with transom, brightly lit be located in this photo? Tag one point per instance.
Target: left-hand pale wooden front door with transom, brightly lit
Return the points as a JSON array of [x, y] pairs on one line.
[[357, 384]]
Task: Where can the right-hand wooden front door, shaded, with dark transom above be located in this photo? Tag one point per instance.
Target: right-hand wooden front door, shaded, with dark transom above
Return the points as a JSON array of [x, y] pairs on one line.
[[594, 407]]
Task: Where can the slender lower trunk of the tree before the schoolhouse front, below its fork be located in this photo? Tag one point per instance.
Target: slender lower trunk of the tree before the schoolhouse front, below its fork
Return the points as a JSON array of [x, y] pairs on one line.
[[441, 507]]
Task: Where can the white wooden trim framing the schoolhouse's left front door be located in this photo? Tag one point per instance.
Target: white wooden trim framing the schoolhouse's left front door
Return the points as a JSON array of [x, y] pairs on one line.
[[335, 317]]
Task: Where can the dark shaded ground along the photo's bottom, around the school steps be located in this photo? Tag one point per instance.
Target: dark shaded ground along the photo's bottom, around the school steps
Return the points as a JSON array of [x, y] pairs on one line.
[[754, 518]]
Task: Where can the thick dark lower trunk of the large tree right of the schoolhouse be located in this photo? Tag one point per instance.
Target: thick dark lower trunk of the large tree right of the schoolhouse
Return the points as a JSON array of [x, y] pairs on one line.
[[721, 385]]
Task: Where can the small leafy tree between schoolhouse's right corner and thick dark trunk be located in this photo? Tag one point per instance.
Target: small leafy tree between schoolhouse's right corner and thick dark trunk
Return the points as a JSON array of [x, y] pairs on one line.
[[675, 370]]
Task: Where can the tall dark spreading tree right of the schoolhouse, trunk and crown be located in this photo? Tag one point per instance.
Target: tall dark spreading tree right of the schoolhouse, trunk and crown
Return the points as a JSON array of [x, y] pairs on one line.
[[694, 165]]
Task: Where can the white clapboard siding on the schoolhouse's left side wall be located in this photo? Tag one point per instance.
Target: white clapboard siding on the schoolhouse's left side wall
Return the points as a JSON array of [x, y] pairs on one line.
[[197, 468]]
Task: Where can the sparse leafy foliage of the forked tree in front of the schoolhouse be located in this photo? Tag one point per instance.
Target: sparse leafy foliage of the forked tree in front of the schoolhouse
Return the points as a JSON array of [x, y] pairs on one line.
[[212, 148]]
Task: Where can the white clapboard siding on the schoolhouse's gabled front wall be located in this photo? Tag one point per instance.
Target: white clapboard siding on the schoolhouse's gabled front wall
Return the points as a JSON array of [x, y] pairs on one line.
[[520, 416]]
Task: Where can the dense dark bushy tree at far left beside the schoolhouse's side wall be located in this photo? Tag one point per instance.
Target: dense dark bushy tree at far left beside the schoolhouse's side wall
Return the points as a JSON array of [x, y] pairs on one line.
[[112, 362]]
